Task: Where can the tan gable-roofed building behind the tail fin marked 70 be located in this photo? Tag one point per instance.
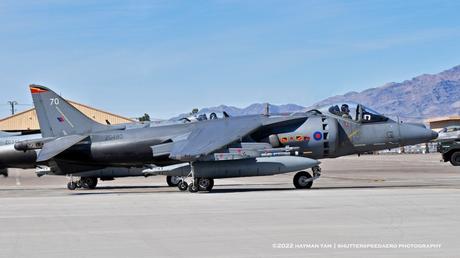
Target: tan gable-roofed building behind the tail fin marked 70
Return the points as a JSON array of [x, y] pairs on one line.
[[27, 121]]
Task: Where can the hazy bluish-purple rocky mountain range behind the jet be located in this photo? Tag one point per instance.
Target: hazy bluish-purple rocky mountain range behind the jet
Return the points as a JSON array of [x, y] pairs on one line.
[[422, 97]]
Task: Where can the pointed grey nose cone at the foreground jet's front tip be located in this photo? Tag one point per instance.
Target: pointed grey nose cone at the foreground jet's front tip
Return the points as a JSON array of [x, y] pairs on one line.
[[414, 134]]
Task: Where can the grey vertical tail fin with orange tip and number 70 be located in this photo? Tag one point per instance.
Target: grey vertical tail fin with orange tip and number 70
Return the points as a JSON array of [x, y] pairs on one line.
[[58, 118]]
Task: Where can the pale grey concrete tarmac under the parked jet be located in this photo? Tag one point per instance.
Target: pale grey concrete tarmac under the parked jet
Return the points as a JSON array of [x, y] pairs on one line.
[[371, 206]]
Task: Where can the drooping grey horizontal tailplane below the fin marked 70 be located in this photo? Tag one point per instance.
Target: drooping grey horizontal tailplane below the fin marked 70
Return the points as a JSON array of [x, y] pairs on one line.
[[56, 147]]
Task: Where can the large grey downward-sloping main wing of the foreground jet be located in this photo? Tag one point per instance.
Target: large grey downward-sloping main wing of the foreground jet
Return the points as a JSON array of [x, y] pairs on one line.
[[213, 135]]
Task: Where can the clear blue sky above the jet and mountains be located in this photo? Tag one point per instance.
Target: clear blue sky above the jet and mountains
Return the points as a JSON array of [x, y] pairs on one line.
[[166, 57]]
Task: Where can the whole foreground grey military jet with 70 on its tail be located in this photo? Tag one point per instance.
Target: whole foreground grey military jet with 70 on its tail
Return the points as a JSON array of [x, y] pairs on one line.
[[204, 150]]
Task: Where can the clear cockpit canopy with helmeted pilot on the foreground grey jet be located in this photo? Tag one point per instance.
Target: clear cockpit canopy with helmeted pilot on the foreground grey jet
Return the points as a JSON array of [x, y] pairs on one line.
[[356, 112]]
